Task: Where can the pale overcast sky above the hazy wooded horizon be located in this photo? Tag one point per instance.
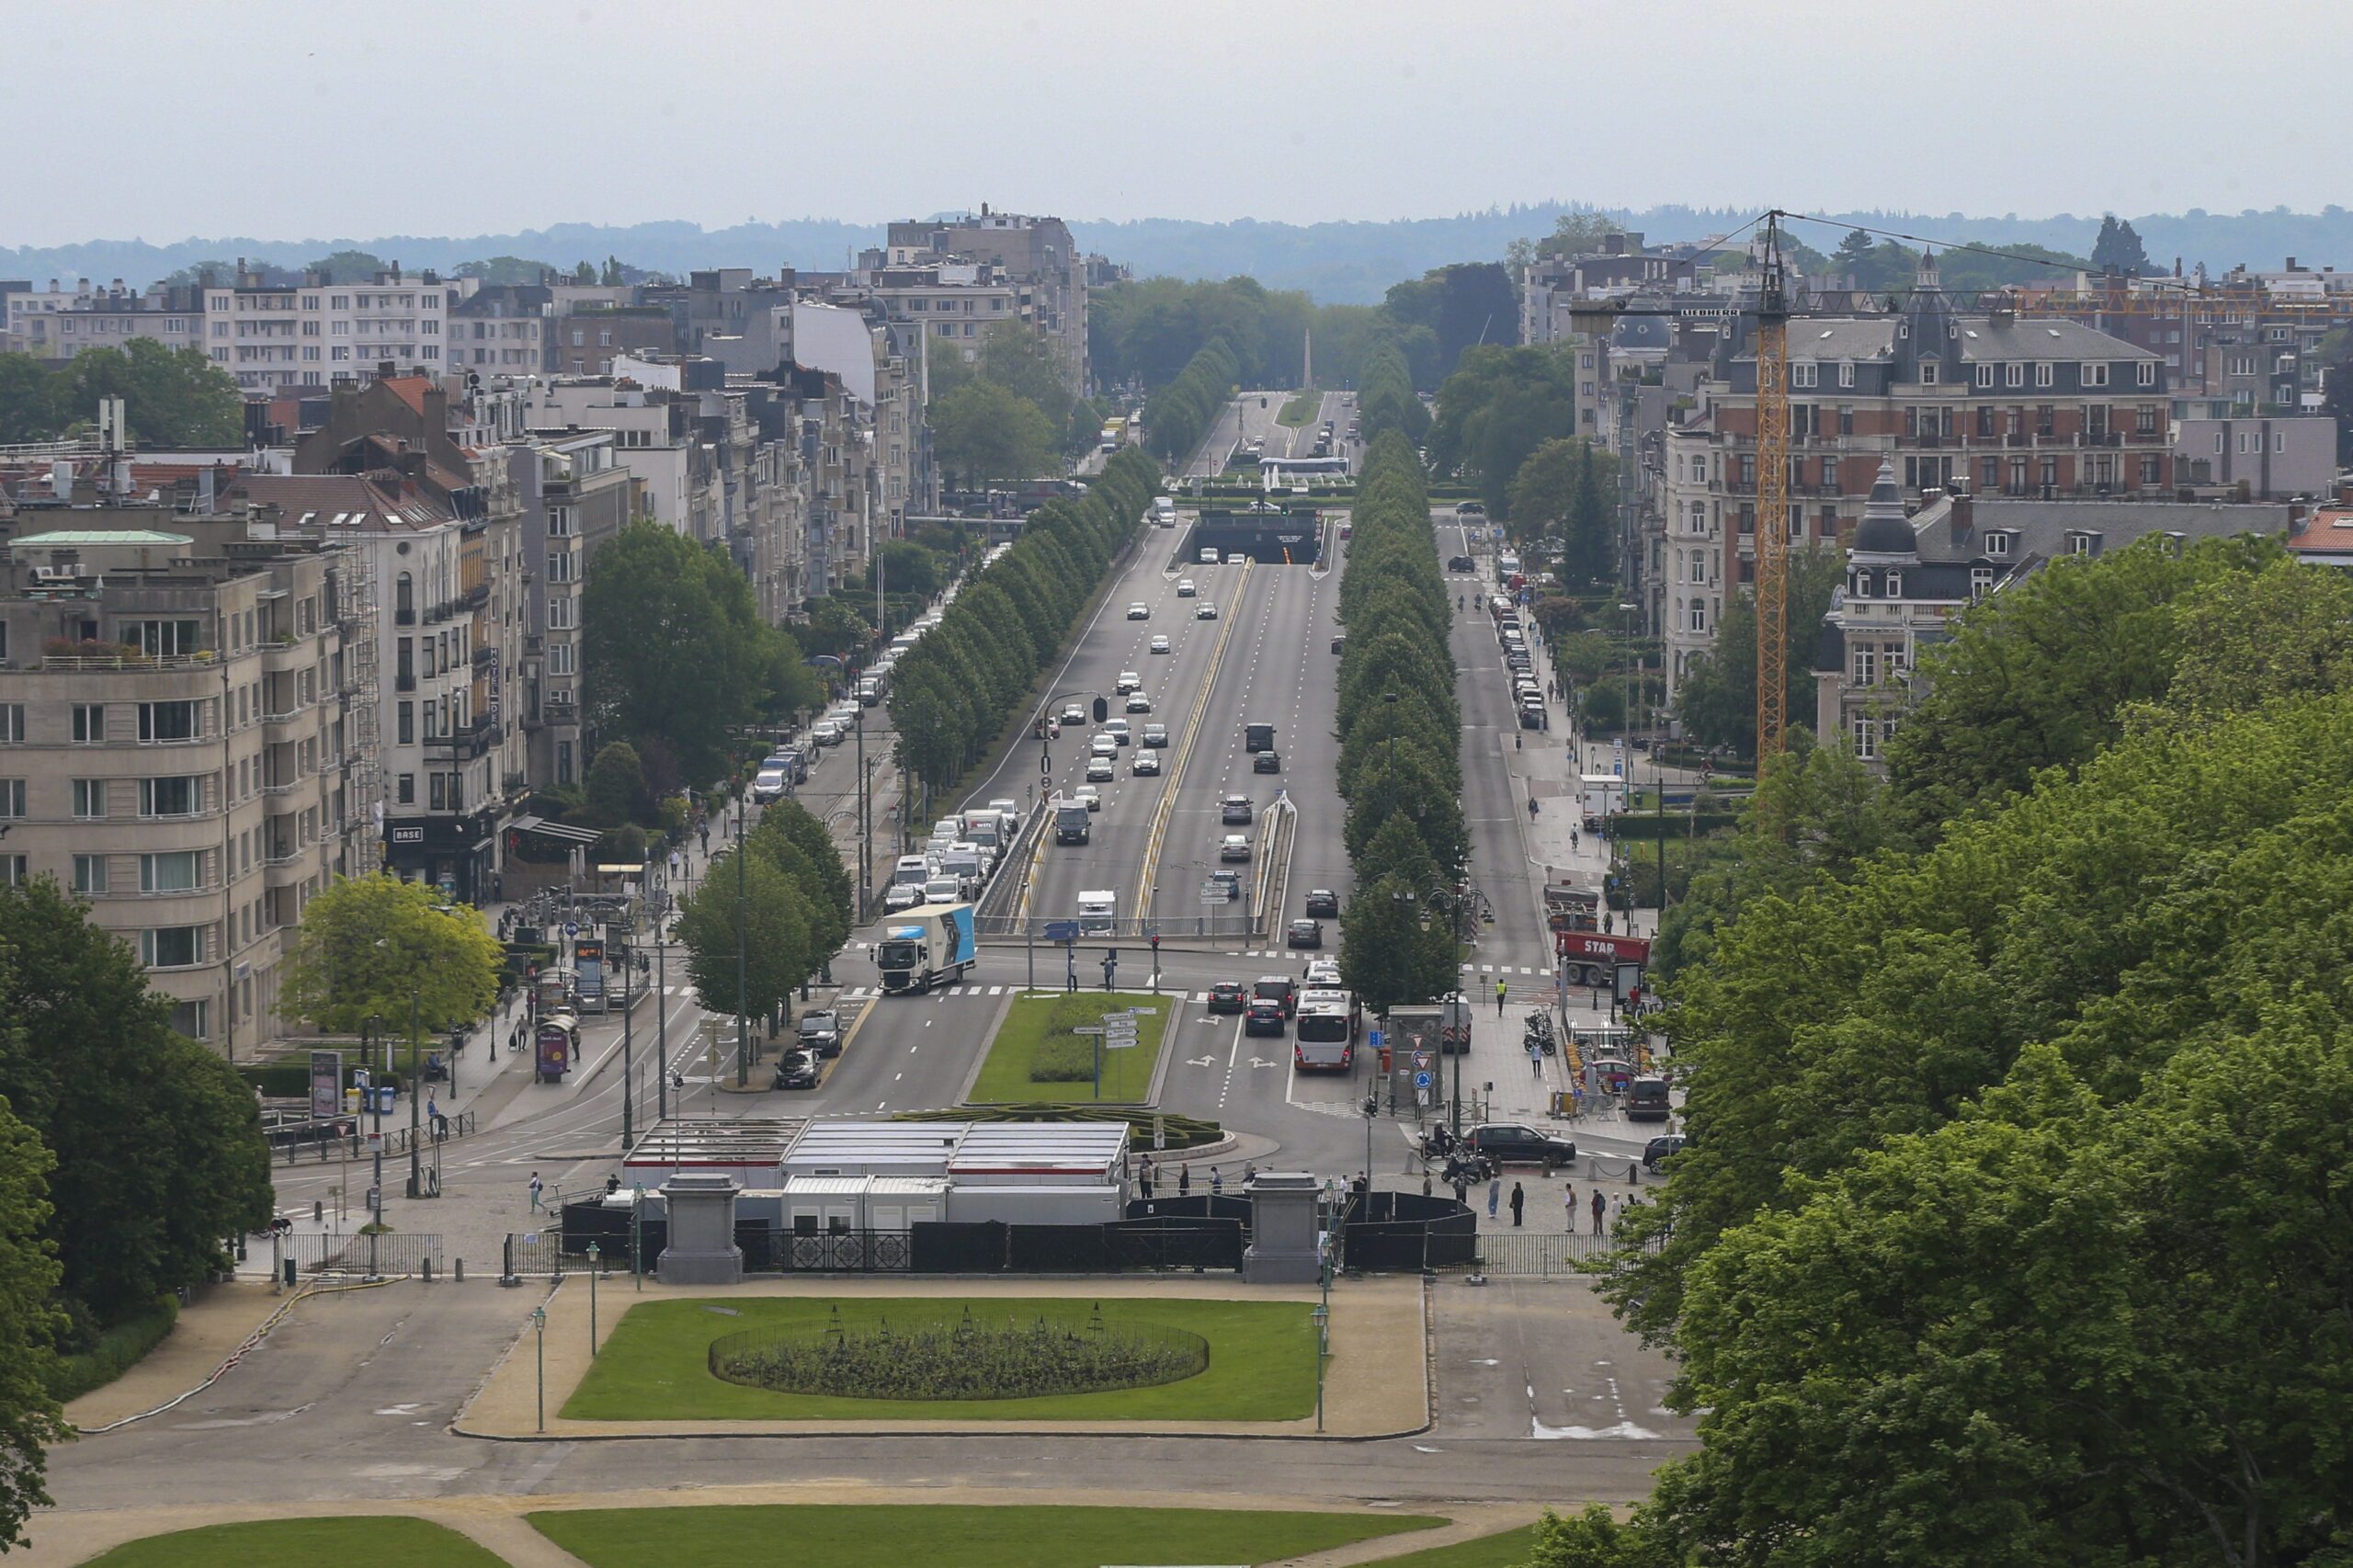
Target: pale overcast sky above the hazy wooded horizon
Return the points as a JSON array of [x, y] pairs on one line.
[[319, 119]]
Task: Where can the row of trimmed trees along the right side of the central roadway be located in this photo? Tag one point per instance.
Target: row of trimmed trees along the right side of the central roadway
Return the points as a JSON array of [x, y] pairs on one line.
[[1401, 743]]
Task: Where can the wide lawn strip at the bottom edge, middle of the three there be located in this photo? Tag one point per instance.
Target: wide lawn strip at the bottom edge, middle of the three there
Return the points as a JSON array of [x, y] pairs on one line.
[[966, 1536]]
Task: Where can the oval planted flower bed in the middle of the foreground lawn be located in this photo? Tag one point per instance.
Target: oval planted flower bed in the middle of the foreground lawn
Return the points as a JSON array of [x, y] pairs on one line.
[[964, 1357]]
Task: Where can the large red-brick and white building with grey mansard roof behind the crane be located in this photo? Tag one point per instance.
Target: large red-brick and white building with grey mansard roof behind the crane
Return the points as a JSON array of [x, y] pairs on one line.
[[1997, 404]]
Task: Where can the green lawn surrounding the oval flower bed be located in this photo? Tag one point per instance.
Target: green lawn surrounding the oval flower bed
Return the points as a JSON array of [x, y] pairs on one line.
[[655, 1367]]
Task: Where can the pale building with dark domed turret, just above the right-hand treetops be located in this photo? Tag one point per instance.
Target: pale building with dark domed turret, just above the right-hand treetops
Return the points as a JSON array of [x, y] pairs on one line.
[[1909, 576]]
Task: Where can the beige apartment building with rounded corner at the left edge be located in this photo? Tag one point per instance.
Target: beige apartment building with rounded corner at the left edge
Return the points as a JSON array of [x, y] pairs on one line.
[[182, 738]]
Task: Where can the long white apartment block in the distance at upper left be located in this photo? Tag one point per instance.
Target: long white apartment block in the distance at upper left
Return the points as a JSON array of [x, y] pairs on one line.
[[316, 333]]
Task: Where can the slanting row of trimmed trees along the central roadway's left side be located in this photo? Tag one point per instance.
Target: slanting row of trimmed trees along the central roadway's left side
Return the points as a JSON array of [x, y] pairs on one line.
[[973, 675]]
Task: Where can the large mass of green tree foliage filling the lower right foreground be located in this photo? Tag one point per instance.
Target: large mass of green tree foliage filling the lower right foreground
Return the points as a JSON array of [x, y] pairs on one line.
[[2015, 1209]]
